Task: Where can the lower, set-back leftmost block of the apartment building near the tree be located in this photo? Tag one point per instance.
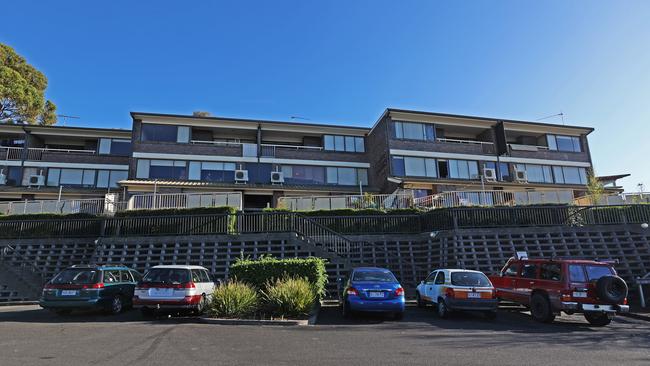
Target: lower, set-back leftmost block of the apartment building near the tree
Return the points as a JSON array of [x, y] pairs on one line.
[[41, 162]]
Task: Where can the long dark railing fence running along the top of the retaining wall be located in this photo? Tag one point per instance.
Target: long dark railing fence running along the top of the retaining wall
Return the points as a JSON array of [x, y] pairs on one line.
[[327, 230]]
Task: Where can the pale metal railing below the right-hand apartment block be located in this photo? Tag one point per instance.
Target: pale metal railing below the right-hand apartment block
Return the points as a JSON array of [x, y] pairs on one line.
[[493, 198]]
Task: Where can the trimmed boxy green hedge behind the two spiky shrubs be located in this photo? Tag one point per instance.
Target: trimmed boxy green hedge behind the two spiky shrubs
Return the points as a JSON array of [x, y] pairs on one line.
[[266, 270]]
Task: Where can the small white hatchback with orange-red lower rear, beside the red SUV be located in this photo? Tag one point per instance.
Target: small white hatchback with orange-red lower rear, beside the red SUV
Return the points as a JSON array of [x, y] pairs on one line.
[[458, 289]]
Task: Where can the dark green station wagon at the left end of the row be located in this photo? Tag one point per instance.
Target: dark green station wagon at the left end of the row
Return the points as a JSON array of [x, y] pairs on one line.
[[105, 287]]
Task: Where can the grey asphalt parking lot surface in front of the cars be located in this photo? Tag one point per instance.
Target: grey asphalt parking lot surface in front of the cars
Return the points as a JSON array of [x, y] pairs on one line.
[[31, 336]]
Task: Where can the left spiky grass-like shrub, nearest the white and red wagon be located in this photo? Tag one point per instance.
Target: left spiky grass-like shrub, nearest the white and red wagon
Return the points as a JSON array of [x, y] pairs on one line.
[[234, 300]]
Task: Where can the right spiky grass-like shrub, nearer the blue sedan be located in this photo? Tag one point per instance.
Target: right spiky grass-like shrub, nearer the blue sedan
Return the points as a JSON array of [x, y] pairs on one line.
[[289, 297]]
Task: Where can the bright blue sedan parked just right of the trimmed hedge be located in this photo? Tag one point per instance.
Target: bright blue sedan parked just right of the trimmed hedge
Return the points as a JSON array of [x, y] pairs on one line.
[[372, 289]]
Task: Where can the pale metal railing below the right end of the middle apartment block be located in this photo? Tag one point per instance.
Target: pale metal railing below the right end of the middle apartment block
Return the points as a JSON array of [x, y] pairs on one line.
[[377, 201]]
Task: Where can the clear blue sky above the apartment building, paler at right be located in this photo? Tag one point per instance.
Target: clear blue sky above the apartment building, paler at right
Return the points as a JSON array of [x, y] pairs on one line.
[[344, 62]]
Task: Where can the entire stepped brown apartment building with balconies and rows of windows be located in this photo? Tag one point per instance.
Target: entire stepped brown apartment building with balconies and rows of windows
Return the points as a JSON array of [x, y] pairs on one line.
[[425, 152]]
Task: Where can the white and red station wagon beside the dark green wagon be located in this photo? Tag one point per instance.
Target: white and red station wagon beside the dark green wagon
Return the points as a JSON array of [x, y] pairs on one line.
[[174, 288]]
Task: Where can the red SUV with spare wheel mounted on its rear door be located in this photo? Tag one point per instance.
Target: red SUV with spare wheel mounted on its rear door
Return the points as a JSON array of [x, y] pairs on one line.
[[551, 286]]
